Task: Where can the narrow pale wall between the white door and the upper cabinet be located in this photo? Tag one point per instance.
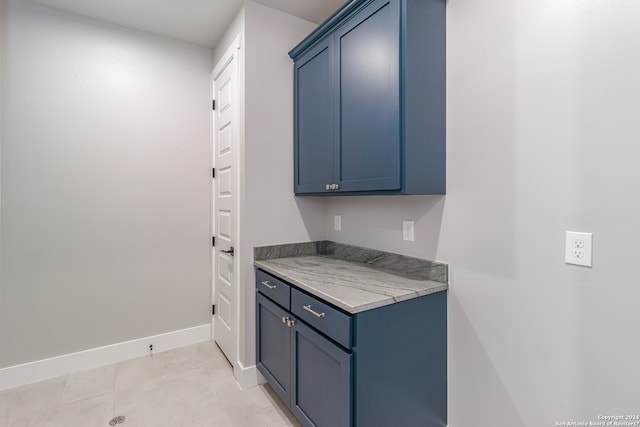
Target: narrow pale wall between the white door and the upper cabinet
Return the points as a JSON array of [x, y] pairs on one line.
[[271, 213]]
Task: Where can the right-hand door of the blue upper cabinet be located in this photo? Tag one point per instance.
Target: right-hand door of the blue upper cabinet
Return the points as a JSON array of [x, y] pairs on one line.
[[367, 118]]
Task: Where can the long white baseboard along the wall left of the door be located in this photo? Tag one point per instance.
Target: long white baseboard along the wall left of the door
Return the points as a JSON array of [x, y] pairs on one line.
[[39, 370]]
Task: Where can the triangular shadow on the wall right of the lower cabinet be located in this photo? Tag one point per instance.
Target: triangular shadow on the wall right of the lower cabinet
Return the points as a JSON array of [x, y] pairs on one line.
[[474, 368]]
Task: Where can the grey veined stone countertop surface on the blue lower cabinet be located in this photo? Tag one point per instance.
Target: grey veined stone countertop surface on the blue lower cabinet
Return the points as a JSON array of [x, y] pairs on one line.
[[351, 286]]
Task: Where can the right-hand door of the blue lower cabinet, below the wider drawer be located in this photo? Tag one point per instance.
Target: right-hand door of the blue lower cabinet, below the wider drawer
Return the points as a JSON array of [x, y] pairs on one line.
[[321, 391]]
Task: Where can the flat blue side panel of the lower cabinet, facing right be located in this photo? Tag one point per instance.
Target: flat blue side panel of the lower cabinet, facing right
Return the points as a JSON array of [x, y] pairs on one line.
[[401, 364]]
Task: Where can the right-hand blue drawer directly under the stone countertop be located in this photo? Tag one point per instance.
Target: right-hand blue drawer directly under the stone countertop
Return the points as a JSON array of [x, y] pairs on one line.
[[326, 319]]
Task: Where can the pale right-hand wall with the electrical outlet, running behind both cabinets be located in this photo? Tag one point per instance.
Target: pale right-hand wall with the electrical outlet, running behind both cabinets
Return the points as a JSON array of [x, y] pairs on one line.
[[542, 138]]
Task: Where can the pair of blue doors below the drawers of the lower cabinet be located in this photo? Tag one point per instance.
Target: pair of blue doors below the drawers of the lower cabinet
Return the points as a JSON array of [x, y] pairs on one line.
[[311, 374]]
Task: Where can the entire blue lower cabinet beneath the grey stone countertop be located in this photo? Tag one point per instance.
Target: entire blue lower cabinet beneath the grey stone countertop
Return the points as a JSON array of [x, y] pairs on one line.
[[381, 367]]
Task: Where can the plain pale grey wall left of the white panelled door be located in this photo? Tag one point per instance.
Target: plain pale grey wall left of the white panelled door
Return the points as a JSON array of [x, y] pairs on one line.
[[105, 185]]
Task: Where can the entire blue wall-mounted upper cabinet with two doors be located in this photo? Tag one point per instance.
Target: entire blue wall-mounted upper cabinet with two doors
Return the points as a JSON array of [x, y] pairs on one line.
[[370, 101]]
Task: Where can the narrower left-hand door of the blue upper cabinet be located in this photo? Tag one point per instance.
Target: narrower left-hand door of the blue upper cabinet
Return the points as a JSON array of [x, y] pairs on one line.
[[313, 109]]
